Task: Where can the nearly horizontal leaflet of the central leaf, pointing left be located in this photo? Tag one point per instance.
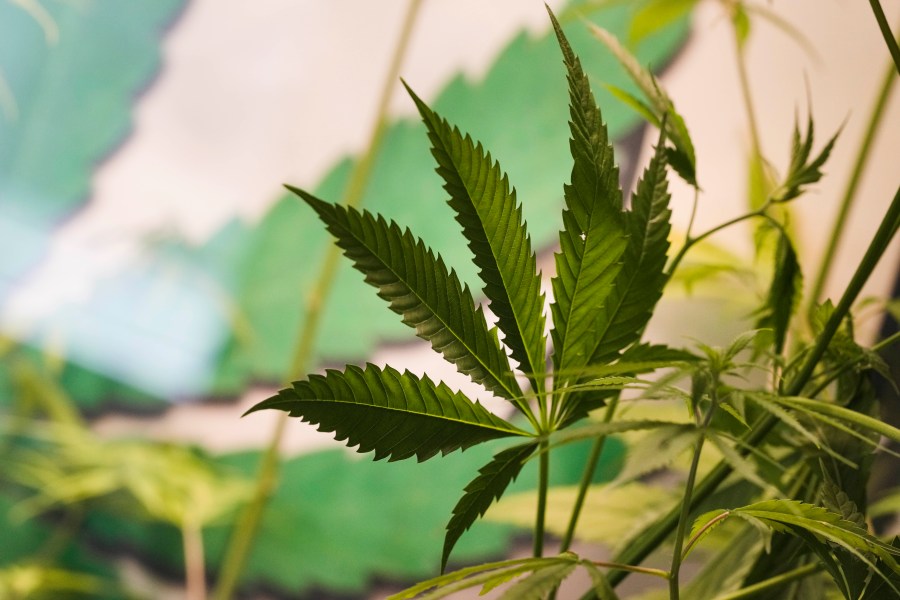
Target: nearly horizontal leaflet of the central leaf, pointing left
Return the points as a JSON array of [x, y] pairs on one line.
[[396, 415]]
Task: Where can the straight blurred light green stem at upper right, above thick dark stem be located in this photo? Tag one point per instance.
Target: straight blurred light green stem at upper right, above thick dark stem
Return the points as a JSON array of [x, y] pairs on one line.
[[862, 157]]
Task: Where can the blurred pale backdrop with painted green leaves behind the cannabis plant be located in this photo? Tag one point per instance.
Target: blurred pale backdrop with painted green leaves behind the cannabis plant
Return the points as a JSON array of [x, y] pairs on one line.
[[155, 276]]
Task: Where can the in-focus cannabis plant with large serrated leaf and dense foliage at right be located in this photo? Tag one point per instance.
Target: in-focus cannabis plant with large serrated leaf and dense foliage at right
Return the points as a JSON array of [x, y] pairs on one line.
[[793, 450]]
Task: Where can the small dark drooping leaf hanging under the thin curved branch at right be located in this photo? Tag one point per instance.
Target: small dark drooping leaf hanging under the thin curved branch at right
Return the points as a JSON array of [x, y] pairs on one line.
[[783, 293]]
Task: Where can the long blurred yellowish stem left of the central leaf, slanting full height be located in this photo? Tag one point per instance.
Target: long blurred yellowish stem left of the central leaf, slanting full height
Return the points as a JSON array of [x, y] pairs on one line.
[[250, 519]]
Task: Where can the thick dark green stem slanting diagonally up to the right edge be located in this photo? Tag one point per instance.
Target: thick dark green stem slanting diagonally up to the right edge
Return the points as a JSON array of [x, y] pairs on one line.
[[656, 533]]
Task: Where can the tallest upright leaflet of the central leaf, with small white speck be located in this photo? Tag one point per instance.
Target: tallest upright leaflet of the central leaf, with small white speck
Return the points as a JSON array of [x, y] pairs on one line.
[[594, 235]]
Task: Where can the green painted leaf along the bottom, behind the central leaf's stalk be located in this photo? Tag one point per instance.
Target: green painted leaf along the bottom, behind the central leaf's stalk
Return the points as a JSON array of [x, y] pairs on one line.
[[368, 503]]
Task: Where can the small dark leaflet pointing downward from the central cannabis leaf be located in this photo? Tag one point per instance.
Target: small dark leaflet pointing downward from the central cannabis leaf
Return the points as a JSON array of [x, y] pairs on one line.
[[492, 480]]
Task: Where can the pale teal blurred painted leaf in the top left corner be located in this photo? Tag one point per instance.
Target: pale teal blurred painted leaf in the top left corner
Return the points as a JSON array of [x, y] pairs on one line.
[[68, 104]]
